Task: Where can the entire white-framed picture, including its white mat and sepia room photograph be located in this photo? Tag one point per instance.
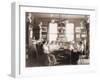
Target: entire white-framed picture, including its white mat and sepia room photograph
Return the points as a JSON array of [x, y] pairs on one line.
[[35, 55]]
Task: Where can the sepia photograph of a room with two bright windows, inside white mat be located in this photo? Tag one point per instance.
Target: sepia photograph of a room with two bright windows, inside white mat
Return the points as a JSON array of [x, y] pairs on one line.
[[54, 39]]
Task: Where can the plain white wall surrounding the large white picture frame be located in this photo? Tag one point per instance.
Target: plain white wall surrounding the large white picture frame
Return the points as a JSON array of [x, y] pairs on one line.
[[5, 39]]
